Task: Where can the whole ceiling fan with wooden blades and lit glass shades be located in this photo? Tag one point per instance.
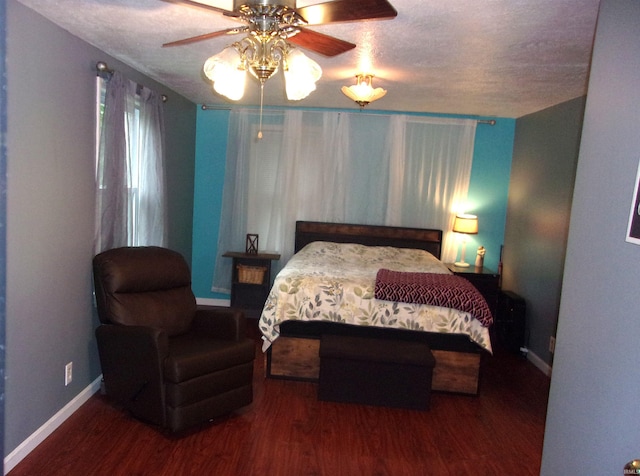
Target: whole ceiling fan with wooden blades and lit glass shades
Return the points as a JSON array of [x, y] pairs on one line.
[[272, 28]]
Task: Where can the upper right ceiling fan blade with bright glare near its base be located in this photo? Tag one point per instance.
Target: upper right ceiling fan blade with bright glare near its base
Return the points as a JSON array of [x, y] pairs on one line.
[[347, 10]]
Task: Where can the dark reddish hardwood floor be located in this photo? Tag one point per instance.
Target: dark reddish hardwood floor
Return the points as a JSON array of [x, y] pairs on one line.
[[287, 431]]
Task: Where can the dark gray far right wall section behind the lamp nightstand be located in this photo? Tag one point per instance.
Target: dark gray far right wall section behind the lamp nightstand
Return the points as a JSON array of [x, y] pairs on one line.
[[540, 191]]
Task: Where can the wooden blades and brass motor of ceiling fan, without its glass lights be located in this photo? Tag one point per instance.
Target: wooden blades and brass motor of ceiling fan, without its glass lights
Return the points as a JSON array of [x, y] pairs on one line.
[[281, 18]]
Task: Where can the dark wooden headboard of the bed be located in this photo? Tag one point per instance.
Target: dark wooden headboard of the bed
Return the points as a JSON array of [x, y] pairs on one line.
[[371, 235]]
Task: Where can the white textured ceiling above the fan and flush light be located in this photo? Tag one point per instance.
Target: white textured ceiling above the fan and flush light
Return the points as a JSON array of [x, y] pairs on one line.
[[505, 58]]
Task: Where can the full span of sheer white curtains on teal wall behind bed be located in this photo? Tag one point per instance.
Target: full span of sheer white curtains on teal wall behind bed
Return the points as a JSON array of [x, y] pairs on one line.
[[343, 167]]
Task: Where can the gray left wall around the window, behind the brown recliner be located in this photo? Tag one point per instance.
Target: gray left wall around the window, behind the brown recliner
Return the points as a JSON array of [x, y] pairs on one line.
[[50, 213]]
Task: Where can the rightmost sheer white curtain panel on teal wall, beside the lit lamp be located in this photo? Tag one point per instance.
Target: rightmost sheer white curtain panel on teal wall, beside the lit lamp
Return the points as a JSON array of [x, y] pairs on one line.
[[429, 173]]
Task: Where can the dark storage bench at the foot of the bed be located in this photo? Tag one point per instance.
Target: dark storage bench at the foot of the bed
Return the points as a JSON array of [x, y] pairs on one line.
[[379, 372]]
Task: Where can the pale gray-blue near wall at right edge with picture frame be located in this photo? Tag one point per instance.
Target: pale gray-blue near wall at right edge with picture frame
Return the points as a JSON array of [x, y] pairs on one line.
[[594, 404]]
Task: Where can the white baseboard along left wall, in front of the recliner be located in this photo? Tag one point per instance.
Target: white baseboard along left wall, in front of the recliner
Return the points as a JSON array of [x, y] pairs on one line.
[[37, 437]]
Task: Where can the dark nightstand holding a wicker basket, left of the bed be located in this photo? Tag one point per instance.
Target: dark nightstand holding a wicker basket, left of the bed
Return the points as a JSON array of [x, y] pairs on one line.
[[247, 293]]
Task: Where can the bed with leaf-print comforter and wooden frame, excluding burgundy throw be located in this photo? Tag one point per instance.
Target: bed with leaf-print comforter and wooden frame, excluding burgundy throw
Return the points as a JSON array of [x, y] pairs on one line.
[[292, 323]]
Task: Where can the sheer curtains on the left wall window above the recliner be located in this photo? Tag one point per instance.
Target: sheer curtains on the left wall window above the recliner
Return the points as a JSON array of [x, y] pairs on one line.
[[130, 189]]
